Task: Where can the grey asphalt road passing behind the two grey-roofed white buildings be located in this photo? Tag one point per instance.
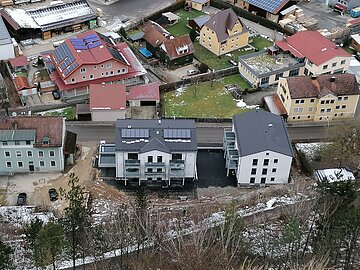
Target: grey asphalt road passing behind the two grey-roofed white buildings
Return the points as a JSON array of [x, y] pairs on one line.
[[209, 135]]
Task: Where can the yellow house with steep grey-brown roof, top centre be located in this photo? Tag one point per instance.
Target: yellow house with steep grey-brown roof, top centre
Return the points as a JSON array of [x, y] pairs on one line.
[[224, 33]]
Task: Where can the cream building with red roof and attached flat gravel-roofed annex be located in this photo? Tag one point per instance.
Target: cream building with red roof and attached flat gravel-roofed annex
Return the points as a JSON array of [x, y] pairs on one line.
[[304, 53]]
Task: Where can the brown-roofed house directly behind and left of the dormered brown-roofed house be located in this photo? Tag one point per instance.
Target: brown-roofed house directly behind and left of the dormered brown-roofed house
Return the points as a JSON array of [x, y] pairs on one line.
[[154, 36]]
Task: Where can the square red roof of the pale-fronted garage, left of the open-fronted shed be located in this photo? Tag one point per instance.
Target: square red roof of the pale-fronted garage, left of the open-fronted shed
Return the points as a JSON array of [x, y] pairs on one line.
[[107, 97]]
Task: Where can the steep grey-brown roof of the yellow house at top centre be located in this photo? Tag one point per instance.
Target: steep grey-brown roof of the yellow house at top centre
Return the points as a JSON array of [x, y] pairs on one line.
[[222, 21]]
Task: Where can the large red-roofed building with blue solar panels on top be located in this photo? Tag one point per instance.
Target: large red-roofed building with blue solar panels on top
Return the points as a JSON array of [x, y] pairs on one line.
[[92, 58]]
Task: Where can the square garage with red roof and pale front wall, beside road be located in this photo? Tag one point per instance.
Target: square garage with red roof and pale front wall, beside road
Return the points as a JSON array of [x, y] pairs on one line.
[[107, 102]]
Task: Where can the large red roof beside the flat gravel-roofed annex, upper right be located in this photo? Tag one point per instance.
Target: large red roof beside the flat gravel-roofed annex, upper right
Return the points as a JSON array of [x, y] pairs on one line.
[[320, 51]]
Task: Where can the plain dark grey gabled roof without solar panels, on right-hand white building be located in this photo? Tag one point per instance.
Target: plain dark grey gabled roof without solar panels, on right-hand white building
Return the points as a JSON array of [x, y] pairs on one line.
[[257, 131]]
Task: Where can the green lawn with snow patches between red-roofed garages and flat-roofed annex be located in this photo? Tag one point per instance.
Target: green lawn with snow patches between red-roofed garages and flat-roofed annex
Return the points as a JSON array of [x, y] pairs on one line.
[[203, 100]]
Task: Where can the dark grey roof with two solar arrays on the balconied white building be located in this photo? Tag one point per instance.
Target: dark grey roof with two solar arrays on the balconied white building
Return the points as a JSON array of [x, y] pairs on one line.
[[166, 135]]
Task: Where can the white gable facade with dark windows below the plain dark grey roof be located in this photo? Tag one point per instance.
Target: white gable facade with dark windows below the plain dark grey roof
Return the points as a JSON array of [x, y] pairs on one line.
[[270, 168]]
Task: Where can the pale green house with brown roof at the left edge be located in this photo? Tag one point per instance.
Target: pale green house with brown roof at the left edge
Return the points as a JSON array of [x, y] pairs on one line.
[[35, 144]]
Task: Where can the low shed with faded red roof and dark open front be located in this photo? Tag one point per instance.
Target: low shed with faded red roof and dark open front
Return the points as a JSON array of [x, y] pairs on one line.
[[144, 95]]
